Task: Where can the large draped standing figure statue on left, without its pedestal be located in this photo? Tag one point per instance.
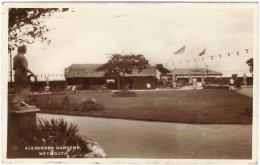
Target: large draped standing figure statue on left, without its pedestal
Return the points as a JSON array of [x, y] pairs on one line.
[[21, 81]]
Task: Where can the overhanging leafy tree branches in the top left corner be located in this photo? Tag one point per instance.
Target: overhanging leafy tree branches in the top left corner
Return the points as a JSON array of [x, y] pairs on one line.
[[26, 25]]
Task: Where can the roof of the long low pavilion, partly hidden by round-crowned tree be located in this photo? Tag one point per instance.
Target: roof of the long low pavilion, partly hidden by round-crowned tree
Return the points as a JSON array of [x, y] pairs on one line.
[[88, 70]]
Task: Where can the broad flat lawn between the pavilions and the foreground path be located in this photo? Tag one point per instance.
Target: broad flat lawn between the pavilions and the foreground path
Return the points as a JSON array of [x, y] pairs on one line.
[[209, 106]]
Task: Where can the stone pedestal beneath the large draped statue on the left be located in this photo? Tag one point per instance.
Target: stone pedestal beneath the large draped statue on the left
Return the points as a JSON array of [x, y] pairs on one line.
[[20, 121]]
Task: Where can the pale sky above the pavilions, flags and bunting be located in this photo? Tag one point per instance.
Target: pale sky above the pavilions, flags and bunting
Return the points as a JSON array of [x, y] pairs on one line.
[[92, 32]]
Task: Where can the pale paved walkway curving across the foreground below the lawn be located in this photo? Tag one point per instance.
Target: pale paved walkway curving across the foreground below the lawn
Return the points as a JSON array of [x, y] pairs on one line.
[[139, 139]]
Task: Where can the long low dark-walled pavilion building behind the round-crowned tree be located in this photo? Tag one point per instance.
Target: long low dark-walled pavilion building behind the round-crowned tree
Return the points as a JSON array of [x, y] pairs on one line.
[[87, 77]]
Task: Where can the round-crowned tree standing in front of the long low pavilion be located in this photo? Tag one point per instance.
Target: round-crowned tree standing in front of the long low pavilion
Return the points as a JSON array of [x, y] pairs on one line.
[[119, 65]]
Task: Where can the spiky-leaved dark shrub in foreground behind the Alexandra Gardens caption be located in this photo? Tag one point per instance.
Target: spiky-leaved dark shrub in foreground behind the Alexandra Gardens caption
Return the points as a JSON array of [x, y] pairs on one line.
[[56, 136]]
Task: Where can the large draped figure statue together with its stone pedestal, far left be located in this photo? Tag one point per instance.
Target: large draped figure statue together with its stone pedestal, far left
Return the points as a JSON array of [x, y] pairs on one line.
[[21, 116]]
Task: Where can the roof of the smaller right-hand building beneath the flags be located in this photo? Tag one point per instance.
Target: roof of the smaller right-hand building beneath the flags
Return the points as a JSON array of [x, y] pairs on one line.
[[192, 71]]
